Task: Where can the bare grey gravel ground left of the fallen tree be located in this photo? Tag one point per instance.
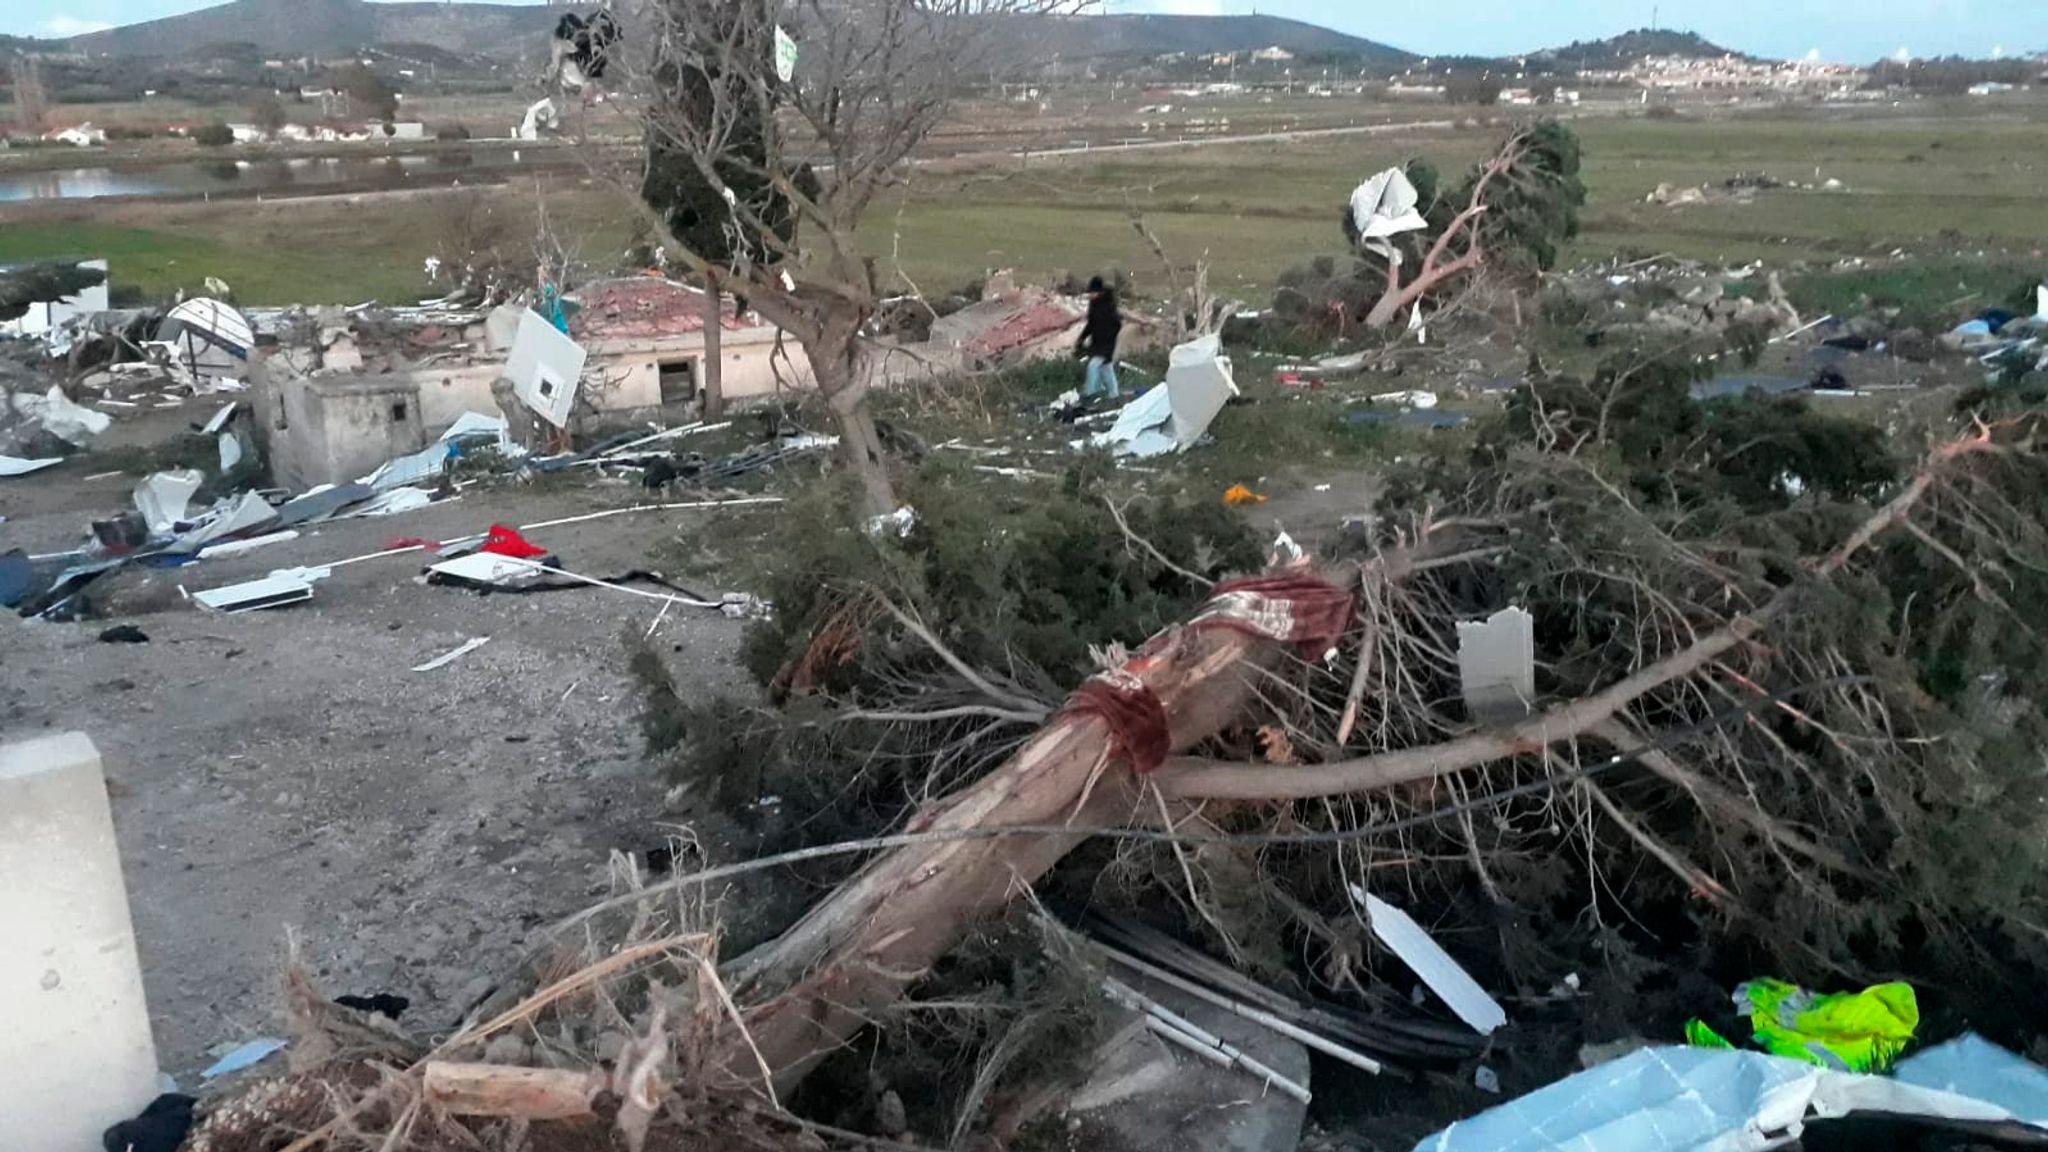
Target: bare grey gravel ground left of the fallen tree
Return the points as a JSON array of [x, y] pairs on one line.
[[288, 772]]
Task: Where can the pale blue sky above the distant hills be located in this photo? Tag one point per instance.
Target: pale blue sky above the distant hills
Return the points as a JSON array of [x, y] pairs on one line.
[[1852, 32]]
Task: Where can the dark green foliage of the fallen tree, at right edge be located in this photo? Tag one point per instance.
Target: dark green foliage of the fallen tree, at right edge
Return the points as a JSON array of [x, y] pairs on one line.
[[1641, 522]]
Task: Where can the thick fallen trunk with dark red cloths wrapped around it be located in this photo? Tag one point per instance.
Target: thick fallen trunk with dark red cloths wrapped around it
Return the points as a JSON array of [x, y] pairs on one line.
[[876, 936]]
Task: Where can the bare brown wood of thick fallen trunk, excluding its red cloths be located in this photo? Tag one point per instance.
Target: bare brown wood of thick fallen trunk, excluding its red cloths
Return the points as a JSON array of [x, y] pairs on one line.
[[880, 934]]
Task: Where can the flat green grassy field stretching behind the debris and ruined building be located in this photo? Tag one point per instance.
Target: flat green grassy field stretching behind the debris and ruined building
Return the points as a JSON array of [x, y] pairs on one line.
[[1967, 192]]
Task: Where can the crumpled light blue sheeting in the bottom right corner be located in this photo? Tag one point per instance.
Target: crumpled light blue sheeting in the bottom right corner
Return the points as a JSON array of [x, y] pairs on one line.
[[1699, 1100]]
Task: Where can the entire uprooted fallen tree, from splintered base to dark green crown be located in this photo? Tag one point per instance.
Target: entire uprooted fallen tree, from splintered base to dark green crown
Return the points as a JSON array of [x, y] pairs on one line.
[[1820, 751]]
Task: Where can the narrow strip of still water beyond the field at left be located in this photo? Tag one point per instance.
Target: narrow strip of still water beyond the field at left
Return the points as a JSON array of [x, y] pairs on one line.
[[267, 177]]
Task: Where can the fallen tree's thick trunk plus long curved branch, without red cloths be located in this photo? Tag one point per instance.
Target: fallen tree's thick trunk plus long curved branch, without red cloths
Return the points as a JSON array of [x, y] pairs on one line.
[[878, 934]]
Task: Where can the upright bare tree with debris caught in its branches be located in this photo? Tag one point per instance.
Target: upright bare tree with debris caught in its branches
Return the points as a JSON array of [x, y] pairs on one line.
[[763, 167]]
